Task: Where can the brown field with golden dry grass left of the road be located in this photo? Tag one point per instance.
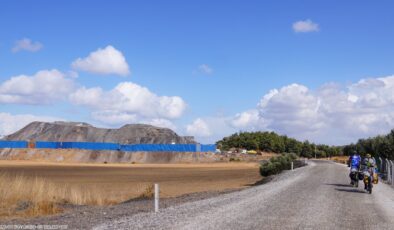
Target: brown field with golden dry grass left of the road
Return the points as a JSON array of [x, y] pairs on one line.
[[40, 186]]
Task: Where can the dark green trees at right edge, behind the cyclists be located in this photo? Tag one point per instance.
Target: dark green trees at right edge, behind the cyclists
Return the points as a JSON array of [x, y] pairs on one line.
[[379, 146]]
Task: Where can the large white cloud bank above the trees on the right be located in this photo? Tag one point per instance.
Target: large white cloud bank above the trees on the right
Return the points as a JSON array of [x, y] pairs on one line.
[[331, 114]]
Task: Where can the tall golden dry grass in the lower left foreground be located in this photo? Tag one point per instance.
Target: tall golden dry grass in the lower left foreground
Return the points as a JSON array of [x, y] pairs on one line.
[[26, 196]]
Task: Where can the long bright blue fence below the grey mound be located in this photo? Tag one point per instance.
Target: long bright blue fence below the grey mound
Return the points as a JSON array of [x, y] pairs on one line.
[[111, 146]]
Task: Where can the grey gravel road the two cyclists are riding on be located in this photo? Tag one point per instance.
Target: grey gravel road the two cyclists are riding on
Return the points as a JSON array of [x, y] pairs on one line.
[[314, 197]]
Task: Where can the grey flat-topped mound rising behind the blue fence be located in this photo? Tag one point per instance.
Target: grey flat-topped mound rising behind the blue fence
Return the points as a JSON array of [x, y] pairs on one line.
[[83, 132]]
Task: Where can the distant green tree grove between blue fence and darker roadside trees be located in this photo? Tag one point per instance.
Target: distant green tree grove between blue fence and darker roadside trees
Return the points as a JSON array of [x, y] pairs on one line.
[[272, 142]]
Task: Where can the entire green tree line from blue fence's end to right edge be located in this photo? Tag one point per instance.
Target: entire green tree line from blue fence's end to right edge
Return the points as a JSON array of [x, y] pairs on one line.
[[379, 146]]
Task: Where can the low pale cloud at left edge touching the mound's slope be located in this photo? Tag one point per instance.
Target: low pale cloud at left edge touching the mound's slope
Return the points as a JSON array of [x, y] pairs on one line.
[[10, 123]]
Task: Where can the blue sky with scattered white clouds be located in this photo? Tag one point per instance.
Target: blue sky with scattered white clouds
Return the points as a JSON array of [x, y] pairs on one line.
[[313, 70]]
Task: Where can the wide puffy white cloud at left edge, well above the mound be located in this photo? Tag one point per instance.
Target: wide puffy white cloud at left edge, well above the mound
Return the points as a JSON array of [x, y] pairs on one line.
[[44, 87]]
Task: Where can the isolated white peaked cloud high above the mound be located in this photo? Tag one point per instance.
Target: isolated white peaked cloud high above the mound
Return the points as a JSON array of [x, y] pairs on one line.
[[103, 61]]
